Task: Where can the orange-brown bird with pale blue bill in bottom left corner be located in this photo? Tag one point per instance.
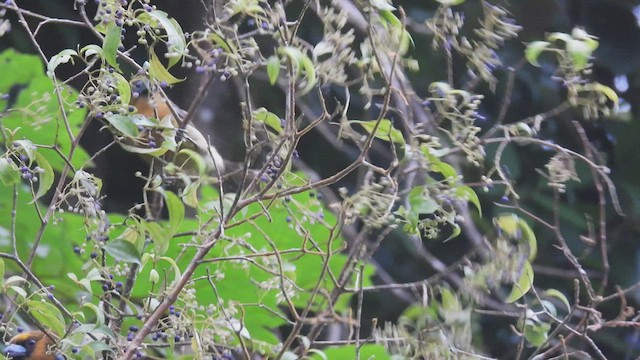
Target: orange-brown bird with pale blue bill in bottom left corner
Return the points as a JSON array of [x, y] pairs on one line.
[[31, 345]]
